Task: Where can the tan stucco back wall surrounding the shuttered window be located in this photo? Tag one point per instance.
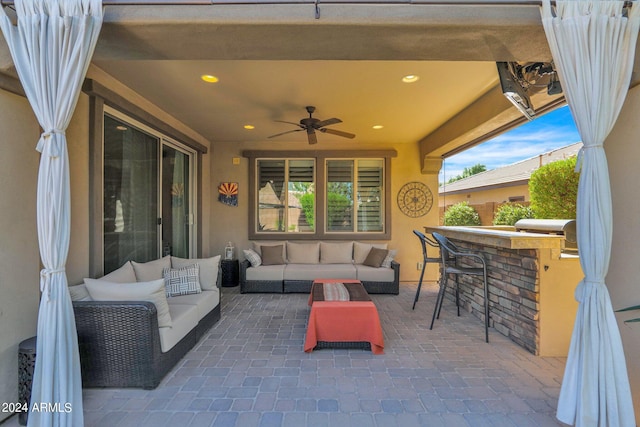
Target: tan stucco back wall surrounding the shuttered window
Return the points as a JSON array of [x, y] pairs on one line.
[[230, 223]]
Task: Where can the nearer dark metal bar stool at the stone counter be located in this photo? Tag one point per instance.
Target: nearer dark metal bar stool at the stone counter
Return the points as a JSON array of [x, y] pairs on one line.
[[448, 252]]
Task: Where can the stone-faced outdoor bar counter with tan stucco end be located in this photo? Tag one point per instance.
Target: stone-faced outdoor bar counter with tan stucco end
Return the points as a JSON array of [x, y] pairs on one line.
[[531, 286]]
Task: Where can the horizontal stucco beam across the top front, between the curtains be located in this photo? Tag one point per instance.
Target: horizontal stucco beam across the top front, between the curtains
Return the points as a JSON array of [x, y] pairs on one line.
[[345, 32]]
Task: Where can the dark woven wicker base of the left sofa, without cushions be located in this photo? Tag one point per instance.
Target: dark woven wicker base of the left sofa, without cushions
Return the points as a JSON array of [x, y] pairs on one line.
[[119, 343]]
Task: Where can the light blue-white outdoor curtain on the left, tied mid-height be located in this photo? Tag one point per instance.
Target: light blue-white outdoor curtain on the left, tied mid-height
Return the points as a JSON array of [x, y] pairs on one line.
[[51, 48]]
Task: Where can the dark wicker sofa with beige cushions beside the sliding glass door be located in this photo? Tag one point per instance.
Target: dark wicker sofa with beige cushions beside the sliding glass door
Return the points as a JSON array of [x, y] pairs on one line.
[[137, 322]]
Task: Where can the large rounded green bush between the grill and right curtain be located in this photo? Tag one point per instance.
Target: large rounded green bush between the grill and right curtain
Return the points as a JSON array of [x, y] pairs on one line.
[[553, 189]]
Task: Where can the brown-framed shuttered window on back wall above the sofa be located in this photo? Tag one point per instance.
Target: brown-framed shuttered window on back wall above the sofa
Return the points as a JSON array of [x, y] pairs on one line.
[[328, 196]]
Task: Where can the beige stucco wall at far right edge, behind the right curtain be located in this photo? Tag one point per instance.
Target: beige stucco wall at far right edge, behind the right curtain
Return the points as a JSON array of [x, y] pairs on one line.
[[623, 153]]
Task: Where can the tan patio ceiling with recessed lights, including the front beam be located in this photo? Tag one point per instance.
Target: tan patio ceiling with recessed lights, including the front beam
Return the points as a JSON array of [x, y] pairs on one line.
[[273, 60]]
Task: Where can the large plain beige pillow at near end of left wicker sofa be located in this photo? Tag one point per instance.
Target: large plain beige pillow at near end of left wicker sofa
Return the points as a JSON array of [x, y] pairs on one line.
[[152, 291]]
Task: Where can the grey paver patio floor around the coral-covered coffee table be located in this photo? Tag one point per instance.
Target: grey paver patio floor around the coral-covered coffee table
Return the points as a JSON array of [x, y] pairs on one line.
[[251, 370]]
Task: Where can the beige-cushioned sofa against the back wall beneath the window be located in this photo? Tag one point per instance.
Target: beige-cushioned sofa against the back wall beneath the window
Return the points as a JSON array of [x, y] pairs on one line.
[[292, 266]]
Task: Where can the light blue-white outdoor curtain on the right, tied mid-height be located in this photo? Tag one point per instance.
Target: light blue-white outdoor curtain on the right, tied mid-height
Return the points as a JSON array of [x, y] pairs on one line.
[[593, 46]]
